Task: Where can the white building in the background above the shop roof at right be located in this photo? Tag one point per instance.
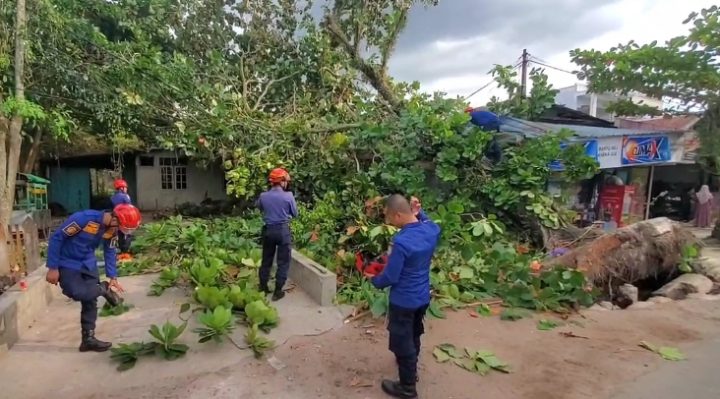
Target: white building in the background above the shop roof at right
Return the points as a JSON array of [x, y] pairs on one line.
[[577, 97]]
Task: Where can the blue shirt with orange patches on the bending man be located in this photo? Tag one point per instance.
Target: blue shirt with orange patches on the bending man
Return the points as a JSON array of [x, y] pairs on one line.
[[73, 244]]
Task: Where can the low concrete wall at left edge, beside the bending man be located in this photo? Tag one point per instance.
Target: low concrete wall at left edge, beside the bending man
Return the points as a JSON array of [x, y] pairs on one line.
[[19, 309]]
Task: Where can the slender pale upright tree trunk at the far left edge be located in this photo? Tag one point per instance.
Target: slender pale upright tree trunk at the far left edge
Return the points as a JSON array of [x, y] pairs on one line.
[[11, 140]]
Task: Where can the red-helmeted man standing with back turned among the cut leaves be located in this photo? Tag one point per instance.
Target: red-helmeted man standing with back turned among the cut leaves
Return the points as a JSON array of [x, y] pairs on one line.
[[278, 207]]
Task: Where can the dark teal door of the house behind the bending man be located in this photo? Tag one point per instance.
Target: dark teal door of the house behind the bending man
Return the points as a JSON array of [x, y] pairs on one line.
[[70, 188]]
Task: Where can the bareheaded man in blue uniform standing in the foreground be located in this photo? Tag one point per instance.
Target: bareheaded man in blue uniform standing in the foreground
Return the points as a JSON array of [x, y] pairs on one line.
[[407, 273]]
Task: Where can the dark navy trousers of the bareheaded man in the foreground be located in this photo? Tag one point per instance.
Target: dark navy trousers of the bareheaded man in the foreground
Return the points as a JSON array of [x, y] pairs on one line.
[[406, 327]]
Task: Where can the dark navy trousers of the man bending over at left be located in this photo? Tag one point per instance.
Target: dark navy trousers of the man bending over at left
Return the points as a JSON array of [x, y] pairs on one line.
[[84, 287]]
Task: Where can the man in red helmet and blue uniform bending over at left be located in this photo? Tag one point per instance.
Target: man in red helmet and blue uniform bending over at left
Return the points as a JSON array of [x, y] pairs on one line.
[[71, 263]]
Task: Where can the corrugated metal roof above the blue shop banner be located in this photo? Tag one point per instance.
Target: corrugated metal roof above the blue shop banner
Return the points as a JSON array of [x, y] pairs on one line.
[[535, 129]]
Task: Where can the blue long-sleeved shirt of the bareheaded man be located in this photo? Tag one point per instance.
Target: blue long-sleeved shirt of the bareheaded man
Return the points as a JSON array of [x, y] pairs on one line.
[[407, 272]]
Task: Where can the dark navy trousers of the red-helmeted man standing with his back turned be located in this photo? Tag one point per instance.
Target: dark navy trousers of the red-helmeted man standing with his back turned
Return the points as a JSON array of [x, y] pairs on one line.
[[276, 239]]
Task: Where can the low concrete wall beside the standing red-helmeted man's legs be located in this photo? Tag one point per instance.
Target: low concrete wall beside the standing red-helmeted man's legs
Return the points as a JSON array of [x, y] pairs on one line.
[[318, 282]]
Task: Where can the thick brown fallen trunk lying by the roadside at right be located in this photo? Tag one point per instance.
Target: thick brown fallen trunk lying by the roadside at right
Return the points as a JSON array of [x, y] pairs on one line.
[[644, 250]]
